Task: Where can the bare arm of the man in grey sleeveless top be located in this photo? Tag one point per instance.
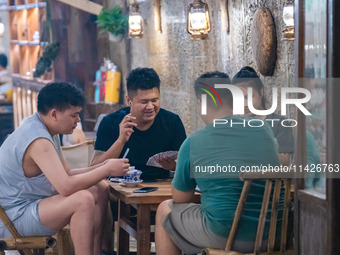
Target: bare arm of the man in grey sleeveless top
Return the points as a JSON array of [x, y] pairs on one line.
[[42, 152]]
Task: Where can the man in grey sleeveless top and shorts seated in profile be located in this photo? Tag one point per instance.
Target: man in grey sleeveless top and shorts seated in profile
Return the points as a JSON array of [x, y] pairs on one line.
[[38, 190]]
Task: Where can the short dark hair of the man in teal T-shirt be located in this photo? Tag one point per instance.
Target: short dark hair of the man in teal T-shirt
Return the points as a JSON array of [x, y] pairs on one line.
[[207, 81]]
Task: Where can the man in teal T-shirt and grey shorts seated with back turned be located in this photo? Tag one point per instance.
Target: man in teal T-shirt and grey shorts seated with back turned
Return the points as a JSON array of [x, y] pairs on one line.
[[211, 159]]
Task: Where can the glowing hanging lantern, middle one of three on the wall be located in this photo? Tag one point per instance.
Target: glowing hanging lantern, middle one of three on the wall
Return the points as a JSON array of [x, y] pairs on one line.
[[198, 20]]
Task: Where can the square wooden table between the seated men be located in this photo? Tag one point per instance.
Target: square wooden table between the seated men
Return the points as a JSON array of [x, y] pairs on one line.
[[145, 203]]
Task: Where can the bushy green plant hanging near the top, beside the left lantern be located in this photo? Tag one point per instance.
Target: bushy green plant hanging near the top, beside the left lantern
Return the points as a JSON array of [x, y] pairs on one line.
[[113, 20]]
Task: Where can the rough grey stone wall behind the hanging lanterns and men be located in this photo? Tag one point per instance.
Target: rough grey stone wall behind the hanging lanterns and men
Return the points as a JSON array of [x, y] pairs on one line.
[[179, 60]]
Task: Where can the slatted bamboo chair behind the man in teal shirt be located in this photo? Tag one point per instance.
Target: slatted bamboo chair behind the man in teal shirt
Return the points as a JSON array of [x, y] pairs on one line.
[[248, 178]]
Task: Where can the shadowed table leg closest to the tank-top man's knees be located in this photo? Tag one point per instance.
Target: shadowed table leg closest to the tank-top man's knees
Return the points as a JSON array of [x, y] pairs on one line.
[[123, 236]]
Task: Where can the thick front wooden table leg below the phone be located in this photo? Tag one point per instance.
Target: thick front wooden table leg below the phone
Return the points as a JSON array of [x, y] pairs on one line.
[[143, 229]]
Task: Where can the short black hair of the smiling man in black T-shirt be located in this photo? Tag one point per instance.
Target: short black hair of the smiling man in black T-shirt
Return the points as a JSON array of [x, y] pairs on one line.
[[142, 78]]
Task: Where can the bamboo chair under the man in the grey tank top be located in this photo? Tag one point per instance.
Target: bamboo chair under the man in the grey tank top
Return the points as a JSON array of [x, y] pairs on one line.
[[23, 244]]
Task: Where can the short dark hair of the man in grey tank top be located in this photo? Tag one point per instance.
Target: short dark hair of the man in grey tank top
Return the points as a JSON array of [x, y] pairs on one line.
[[61, 96]]
